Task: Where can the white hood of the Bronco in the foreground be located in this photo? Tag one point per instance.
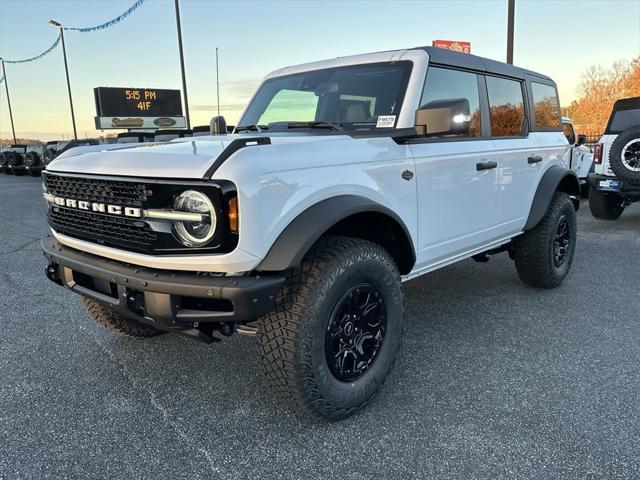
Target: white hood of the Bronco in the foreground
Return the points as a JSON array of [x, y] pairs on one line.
[[185, 158]]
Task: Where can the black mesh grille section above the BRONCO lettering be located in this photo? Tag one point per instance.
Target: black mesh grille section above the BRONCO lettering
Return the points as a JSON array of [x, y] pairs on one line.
[[114, 192]]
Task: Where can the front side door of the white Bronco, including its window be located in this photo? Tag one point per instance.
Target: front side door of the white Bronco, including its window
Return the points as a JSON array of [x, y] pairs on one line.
[[456, 174]]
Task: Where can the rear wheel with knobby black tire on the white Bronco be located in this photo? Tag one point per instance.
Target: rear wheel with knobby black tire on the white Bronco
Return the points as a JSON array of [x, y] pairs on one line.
[[543, 255]]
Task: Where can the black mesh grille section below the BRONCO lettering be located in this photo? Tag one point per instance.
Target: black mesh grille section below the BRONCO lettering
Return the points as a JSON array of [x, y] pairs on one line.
[[105, 229]]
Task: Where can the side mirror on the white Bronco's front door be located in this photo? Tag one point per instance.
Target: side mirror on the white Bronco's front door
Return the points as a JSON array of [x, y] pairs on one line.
[[445, 117]]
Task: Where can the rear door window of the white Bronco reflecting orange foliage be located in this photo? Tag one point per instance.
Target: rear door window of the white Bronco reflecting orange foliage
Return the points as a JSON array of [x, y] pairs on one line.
[[506, 107]]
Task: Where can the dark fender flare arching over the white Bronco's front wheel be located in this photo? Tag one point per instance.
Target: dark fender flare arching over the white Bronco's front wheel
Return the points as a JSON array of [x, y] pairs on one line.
[[348, 215]]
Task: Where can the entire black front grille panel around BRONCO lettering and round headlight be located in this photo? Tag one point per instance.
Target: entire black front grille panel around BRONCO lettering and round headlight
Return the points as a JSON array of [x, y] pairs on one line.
[[134, 234]]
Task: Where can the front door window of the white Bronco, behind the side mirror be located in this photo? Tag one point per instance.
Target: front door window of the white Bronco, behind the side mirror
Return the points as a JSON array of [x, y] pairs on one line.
[[452, 101]]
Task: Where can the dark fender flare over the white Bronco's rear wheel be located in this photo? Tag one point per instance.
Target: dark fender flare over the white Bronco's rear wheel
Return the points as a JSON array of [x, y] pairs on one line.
[[554, 179]]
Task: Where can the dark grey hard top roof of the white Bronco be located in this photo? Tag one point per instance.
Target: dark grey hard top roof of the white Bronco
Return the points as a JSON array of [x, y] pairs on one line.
[[452, 58]]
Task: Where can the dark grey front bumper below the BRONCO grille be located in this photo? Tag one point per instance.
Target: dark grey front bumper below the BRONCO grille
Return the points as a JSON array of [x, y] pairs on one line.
[[168, 300]]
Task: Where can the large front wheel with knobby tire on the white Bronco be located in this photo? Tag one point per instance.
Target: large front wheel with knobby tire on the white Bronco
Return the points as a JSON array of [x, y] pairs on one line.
[[298, 340]]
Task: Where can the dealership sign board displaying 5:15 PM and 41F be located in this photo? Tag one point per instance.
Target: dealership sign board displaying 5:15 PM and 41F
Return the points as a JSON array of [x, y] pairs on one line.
[[138, 108]]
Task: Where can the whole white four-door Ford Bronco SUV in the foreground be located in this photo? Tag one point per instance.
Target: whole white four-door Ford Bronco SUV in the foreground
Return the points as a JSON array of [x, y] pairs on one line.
[[343, 179]]
